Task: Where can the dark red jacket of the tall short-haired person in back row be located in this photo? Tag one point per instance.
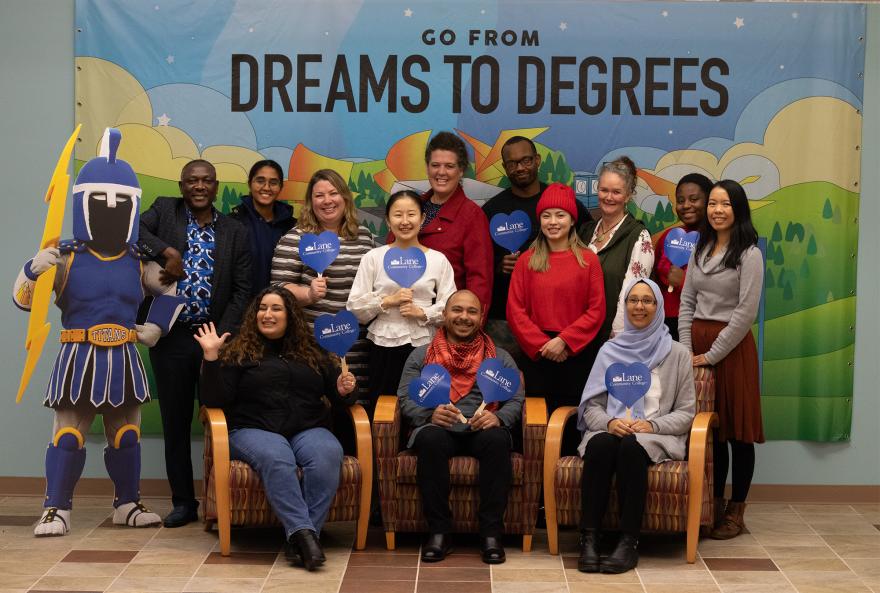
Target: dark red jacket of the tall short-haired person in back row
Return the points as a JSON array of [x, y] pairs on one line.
[[460, 231]]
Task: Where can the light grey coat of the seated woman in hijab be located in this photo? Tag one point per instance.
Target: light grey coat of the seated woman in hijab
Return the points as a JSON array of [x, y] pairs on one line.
[[676, 414]]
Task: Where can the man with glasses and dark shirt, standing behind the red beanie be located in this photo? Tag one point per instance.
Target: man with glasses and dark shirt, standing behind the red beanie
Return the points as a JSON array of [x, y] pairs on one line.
[[521, 163]]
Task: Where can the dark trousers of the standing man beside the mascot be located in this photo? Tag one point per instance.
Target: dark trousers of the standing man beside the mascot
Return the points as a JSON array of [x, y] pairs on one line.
[[177, 360]]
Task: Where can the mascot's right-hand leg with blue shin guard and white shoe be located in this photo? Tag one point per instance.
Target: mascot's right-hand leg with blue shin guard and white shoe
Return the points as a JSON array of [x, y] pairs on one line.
[[122, 458]]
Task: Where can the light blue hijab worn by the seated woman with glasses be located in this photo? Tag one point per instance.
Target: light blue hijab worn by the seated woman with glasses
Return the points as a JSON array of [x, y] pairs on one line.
[[649, 346]]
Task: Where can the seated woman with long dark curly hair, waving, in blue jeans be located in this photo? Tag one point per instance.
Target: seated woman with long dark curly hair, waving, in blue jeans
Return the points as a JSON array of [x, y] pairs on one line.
[[273, 381]]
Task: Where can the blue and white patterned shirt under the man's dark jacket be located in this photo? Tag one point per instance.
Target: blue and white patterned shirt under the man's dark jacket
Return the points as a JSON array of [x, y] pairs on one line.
[[198, 269]]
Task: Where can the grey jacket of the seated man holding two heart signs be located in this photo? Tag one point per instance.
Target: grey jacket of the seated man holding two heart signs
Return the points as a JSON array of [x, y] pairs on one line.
[[509, 413]]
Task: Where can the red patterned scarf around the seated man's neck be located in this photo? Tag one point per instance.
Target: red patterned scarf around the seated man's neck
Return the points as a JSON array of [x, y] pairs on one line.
[[462, 360]]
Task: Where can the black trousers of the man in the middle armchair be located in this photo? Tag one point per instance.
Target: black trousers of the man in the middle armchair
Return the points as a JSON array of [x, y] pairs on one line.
[[435, 446]]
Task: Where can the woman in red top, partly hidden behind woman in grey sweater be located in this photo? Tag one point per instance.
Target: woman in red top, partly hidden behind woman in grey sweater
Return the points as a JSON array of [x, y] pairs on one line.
[[691, 194]]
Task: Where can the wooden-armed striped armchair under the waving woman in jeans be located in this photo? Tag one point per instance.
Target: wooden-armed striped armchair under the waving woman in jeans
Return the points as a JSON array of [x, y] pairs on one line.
[[234, 495]]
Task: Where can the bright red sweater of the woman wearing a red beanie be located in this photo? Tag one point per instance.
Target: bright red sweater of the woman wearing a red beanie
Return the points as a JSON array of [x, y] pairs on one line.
[[567, 299]]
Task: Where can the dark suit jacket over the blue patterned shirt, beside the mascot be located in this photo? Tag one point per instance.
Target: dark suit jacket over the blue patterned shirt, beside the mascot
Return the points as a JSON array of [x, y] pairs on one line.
[[164, 225]]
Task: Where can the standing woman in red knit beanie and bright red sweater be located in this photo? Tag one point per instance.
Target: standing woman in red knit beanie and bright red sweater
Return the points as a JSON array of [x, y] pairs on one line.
[[556, 303]]
